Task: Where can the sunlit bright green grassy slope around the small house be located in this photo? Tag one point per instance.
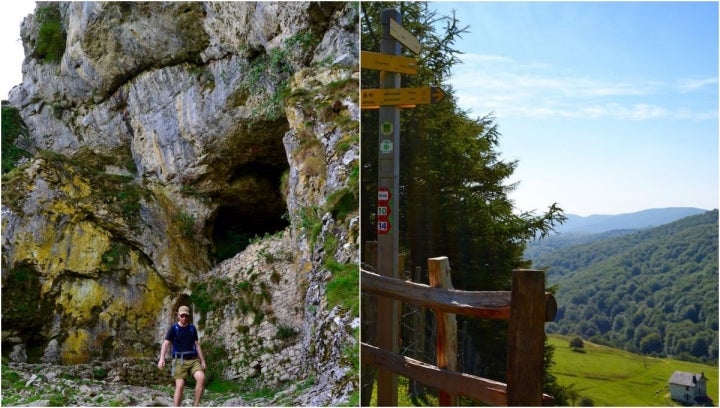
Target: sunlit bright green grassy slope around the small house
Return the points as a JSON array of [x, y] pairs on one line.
[[612, 377]]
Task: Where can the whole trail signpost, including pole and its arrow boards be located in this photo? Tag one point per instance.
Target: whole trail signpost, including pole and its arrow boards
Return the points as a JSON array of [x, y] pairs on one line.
[[389, 98]]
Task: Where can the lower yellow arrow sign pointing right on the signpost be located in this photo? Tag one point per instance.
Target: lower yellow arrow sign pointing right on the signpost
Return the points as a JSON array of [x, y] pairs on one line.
[[374, 98]]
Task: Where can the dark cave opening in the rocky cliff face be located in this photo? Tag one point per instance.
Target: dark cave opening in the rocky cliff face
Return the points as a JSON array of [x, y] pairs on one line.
[[252, 205]]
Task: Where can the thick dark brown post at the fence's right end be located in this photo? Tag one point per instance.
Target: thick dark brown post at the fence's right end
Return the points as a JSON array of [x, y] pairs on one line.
[[526, 338]]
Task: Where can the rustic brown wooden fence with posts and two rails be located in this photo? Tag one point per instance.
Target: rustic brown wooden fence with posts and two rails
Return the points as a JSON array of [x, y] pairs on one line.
[[527, 307]]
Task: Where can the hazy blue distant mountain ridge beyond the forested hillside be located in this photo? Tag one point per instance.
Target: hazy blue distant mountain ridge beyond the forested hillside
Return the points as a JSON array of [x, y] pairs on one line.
[[653, 217]]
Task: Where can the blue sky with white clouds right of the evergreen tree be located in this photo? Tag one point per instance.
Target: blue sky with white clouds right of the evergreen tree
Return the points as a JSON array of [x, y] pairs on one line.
[[609, 107]]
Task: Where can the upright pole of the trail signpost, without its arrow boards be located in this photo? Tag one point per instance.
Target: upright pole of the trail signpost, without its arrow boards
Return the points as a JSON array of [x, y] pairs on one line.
[[388, 226]]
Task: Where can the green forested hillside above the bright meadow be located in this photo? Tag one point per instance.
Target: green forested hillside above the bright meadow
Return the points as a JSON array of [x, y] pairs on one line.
[[653, 292]]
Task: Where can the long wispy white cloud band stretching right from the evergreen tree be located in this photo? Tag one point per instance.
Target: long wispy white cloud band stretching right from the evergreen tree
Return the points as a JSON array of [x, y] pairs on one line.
[[494, 83]]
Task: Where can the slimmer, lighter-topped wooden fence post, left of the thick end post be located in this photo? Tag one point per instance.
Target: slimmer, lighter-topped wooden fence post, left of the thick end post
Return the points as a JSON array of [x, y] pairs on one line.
[[446, 341]]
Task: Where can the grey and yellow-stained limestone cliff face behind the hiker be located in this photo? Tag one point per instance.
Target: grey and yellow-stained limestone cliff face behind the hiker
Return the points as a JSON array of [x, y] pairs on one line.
[[165, 136]]
